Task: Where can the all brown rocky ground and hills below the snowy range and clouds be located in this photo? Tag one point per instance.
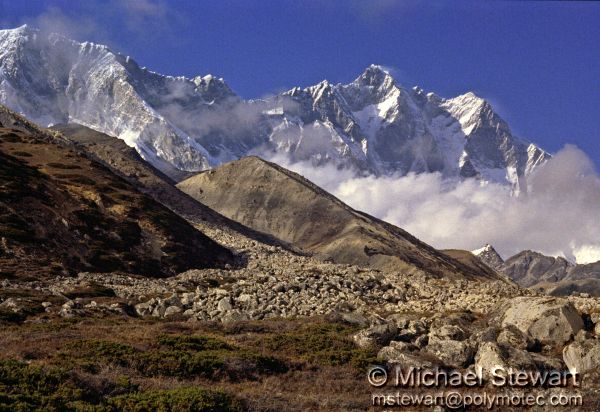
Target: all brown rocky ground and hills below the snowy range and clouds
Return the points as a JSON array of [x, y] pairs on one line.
[[229, 318]]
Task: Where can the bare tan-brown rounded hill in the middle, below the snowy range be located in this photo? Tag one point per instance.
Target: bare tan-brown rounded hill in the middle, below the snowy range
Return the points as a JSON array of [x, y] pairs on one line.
[[271, 199]]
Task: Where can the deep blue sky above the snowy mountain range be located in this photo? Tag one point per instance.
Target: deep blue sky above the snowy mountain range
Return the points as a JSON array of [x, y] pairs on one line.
[[538, 63]]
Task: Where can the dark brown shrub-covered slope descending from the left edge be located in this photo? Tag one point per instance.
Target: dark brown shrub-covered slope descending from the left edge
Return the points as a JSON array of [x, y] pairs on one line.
[[61, 212]]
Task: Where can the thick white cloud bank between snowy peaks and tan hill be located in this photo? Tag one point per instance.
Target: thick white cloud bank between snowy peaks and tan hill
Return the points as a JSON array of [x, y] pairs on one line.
[[560, 215]]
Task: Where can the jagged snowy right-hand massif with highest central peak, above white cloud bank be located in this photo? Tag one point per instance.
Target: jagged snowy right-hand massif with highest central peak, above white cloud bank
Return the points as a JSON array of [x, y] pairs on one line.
[[378, 125]]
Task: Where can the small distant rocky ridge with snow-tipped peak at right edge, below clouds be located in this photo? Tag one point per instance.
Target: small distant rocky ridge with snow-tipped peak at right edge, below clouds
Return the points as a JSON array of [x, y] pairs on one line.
[[553, 275]]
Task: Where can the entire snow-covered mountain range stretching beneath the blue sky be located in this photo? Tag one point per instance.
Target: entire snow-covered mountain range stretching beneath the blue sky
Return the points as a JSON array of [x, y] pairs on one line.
[[372, 124]]
